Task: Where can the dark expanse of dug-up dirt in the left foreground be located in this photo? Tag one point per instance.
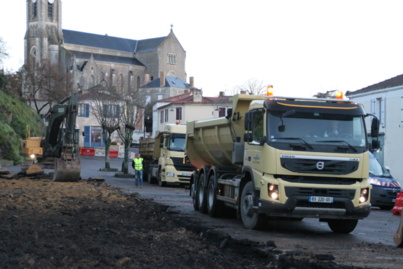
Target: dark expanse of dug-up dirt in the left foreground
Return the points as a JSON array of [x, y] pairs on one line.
[[45, 224]]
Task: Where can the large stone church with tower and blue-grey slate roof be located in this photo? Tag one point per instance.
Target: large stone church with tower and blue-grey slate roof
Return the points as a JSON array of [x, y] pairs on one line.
[[92, 59]]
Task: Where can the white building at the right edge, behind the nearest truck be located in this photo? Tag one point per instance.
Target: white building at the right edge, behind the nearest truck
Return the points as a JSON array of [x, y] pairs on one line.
[[385, 100]]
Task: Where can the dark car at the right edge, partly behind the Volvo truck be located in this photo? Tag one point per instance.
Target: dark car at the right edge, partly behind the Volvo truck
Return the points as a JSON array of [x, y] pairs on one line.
[[384, 187]]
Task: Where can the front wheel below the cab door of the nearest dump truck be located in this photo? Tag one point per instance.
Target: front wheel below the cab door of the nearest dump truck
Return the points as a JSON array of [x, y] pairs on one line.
[[251, 220]]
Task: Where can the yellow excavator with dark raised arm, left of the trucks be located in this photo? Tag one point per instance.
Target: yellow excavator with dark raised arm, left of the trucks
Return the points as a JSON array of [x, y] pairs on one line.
[[58, 149]]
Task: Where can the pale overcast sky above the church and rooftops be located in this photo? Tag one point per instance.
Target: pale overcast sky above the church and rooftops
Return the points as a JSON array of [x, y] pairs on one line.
[[301, 47]]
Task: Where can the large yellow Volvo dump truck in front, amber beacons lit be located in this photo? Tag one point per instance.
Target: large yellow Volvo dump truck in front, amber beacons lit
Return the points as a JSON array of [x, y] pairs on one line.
[[282, 157]]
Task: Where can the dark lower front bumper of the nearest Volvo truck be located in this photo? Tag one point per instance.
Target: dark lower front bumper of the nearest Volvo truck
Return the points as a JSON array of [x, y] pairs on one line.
[[300, 207]]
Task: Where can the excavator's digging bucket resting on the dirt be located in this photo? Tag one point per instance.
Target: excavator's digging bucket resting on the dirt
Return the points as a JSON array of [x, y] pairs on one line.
[[67, 170]]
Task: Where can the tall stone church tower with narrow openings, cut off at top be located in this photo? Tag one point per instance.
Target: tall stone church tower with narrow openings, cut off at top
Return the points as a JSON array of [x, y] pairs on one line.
[[44, 34]]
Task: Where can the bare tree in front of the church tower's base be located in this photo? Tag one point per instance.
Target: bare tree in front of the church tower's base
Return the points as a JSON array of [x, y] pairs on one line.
[[46, 85]]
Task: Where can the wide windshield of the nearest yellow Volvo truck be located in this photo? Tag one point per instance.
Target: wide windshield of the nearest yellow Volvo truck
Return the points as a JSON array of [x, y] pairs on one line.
[[315, 131]]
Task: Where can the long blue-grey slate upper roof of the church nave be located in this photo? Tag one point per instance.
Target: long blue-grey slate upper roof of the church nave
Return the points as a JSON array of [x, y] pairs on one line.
[[111, 42]]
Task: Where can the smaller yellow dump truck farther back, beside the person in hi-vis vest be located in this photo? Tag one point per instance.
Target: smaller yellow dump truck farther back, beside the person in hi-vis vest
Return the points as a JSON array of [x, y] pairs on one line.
[[164, 156]]
